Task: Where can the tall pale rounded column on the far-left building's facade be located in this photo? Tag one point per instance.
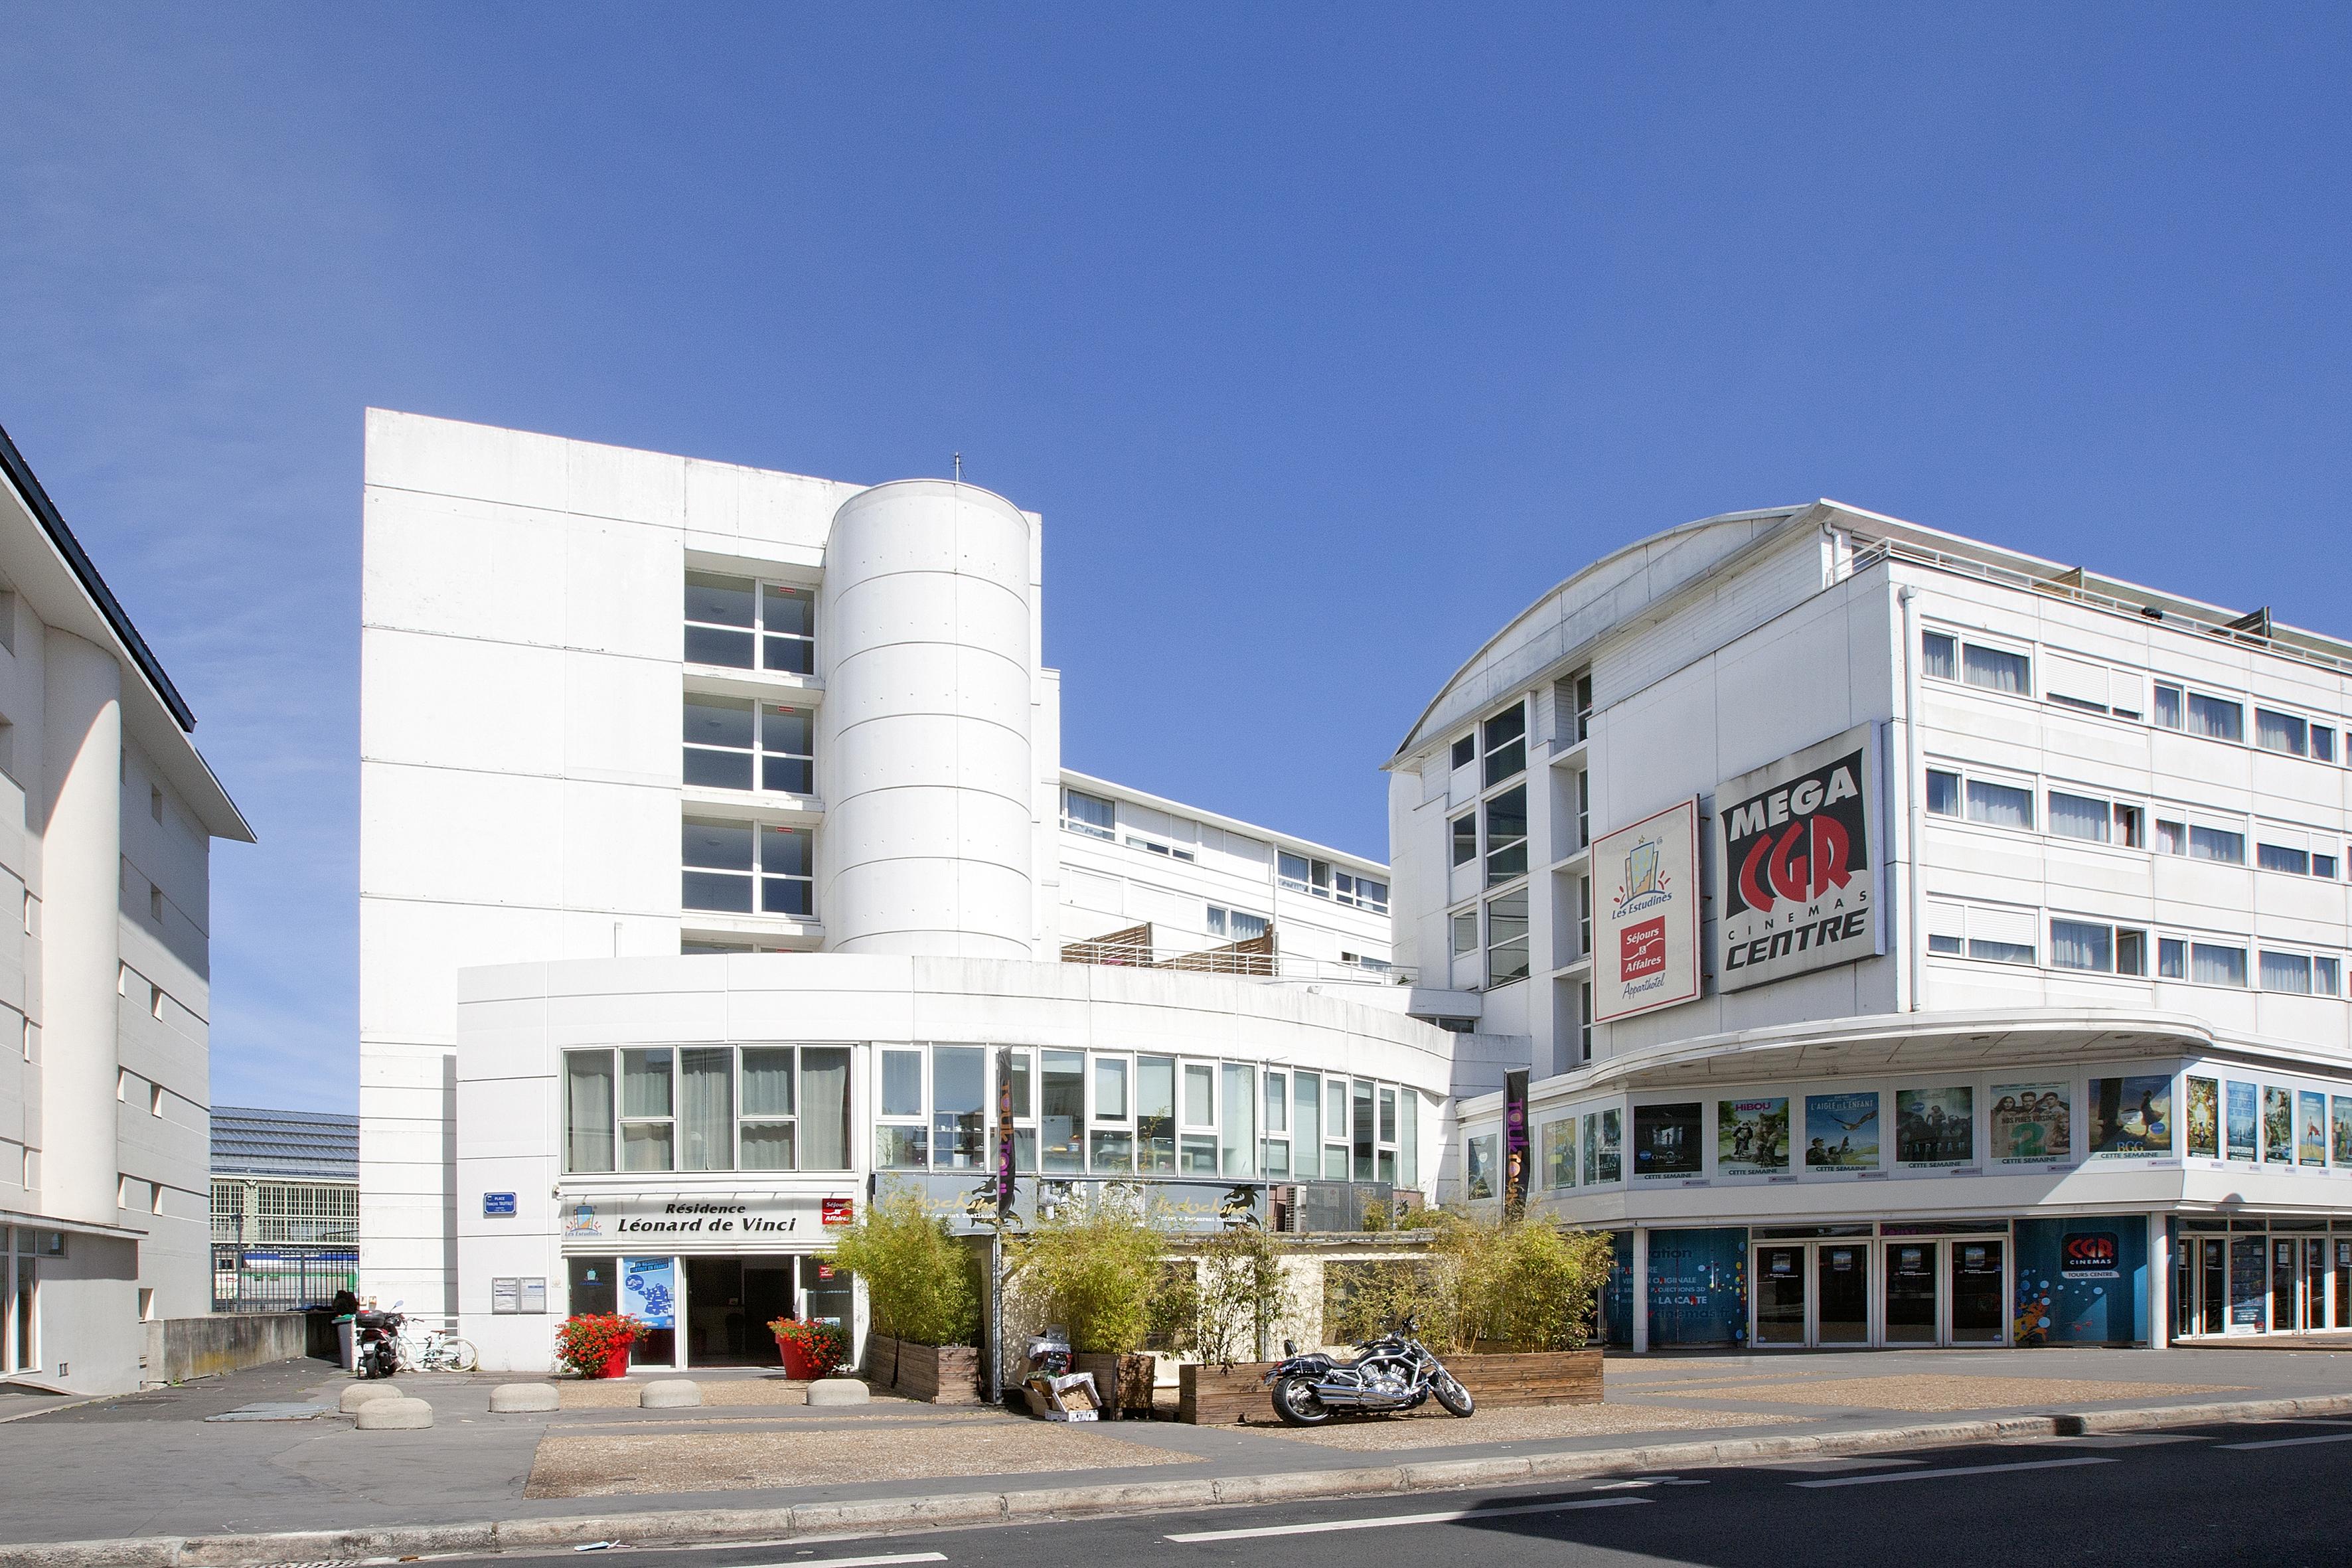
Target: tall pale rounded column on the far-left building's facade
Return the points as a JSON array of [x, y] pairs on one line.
[[81, 878]]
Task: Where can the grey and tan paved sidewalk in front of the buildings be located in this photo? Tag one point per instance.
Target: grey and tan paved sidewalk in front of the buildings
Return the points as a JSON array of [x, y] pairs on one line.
[[159, 1470]]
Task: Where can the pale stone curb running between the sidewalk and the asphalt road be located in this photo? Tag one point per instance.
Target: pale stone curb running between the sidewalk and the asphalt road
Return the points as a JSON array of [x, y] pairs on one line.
[[963, 1510]]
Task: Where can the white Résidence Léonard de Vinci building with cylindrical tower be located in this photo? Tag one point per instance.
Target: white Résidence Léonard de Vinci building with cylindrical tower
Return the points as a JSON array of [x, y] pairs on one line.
[[719, 857]]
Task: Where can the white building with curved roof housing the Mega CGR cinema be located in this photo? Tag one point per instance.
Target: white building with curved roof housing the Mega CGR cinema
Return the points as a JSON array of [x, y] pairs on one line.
[[1909, 942]]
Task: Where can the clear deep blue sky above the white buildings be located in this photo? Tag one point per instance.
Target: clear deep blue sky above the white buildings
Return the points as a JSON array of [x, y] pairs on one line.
[[1325, 337]]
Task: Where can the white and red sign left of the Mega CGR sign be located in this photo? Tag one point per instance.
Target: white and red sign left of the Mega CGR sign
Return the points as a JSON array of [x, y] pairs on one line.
[[1645, 916]]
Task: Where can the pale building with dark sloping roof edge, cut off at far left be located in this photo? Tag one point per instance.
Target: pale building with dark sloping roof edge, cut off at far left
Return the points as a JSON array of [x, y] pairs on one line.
[[107, 824]]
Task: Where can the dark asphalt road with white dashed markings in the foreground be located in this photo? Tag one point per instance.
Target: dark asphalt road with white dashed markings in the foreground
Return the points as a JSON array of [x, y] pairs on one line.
[[2271, 1496]]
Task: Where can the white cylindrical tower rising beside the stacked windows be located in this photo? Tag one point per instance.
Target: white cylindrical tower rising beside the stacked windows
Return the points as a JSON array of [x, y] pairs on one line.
[[923, 739]]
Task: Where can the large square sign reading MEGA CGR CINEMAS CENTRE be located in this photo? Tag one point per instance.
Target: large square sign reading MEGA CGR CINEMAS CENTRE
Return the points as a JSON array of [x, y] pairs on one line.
[[1796, 864]]
